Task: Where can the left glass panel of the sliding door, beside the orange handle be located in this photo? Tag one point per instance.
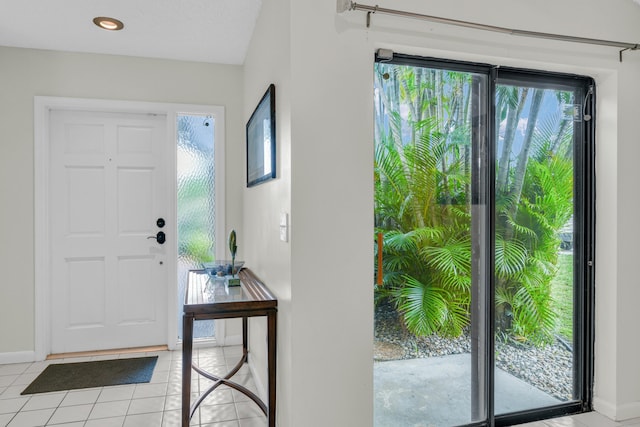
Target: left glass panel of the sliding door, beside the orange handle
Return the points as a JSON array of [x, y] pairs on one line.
[[430, 341]]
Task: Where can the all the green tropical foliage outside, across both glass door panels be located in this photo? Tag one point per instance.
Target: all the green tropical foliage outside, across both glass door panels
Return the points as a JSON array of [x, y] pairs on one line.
[[423, 199]]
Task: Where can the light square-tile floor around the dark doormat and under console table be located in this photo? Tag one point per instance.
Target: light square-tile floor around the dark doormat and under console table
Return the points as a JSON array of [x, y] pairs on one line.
[[151, 404]]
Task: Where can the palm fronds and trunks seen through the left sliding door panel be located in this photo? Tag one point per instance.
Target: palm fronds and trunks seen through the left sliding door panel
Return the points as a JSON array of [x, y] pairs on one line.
[[420, 198]]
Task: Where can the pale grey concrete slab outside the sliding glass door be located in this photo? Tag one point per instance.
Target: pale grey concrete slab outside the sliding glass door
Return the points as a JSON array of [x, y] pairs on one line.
[[436, 391]]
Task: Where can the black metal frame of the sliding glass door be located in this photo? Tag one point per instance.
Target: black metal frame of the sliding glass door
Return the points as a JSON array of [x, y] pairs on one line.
[[584, 205]]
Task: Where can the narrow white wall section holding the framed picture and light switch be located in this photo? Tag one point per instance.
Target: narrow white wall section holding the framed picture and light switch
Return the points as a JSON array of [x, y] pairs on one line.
[[268, 62]]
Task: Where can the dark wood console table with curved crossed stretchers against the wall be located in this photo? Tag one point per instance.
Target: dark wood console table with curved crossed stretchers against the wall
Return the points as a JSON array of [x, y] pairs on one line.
[[207, 298]]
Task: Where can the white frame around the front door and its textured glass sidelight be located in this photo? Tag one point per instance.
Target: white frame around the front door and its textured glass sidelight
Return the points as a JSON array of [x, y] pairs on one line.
[[43, 105]]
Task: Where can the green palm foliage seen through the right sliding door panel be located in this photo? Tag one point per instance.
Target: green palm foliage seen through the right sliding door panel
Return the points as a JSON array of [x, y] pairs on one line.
[[533, 202]]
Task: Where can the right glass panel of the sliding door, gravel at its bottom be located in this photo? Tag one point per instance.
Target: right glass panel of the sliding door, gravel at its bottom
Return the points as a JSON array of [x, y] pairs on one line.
[[534, 245]]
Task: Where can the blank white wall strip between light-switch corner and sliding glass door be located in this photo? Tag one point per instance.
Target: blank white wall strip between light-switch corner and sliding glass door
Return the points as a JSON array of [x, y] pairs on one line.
[[332, 200]]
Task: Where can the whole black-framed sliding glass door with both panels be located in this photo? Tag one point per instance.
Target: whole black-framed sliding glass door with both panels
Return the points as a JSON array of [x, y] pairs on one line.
[[483, 237]]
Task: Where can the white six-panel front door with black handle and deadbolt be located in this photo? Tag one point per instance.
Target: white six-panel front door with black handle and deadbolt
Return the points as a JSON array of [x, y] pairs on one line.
[[107, 191]]
